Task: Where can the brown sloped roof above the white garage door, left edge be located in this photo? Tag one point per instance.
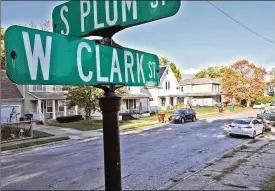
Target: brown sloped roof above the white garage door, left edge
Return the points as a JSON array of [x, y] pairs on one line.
[[9, 90]]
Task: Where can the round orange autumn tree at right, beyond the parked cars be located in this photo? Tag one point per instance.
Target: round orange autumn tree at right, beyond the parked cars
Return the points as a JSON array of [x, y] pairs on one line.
[[243, 81]]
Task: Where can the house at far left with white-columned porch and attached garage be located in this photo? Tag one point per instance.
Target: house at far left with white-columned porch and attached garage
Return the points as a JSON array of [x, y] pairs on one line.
[[43, 101]]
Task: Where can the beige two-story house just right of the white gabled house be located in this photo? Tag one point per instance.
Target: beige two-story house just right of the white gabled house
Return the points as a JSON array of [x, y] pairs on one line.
[[201, 92]]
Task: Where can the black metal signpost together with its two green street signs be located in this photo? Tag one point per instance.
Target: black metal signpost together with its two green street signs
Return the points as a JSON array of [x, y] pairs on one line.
[[39, 57]]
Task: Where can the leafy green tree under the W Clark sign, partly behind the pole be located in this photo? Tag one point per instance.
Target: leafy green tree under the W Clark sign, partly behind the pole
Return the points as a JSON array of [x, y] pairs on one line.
[[87, 97]]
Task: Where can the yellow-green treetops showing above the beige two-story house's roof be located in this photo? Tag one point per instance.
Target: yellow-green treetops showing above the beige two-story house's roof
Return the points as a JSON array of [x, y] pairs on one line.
[[210, 72]]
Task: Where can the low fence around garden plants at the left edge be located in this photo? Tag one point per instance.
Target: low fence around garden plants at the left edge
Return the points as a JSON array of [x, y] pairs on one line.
[[16, 131]]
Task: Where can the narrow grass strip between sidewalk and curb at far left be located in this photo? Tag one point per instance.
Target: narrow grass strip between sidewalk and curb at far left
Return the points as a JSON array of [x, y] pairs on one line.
[[28, 144]]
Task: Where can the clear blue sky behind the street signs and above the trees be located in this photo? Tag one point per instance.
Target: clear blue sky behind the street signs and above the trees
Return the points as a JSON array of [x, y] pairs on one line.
[[197, 37]]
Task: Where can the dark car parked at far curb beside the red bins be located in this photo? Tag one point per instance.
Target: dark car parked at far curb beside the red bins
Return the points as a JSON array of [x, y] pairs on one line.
[[182, 115]]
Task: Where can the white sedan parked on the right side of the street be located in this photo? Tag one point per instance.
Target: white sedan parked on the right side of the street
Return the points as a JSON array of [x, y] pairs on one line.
[[248, 127]]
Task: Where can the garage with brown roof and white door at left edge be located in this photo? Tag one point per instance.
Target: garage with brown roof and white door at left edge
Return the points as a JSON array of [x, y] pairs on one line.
[[11, 99]]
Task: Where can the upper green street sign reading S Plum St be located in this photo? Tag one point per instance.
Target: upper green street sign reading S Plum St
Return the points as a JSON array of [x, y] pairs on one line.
[[86, 18]]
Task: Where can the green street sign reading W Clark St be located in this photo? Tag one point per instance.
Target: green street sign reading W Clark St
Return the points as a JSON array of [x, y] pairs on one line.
[[39, 57]]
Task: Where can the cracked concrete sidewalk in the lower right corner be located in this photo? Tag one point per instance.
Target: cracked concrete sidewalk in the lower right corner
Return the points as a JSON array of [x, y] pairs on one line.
[[247, 167]]
